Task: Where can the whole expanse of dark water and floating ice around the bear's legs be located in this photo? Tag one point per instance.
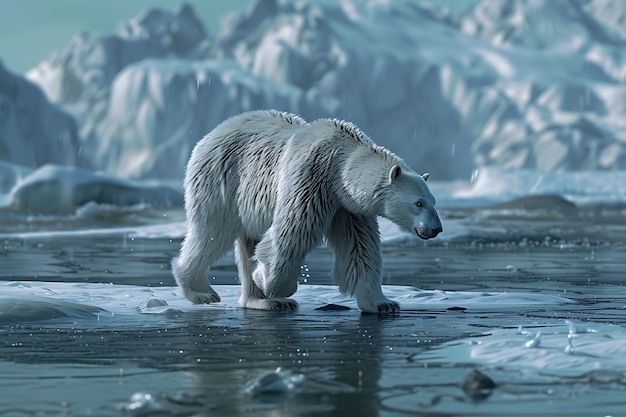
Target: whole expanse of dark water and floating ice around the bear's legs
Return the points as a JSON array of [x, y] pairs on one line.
[[91, 323]]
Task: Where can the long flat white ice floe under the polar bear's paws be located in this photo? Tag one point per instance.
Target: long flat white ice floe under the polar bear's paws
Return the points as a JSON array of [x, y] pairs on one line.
[[38, 301]]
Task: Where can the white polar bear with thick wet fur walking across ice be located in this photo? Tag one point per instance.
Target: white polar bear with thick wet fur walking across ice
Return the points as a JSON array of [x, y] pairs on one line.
[[276, 186]]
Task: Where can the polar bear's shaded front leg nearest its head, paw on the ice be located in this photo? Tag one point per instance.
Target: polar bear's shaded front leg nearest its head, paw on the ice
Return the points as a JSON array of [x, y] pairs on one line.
[[358, 261]]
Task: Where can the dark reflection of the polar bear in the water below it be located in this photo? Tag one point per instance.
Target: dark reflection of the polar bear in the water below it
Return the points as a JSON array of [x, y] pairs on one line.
[[339, 359]]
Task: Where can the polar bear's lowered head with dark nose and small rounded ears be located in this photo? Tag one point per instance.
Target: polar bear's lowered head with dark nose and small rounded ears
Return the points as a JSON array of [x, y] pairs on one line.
[[410, 204]]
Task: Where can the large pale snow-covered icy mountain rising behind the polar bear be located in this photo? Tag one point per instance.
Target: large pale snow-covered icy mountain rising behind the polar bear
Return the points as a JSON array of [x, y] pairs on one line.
[[535, 84]]
